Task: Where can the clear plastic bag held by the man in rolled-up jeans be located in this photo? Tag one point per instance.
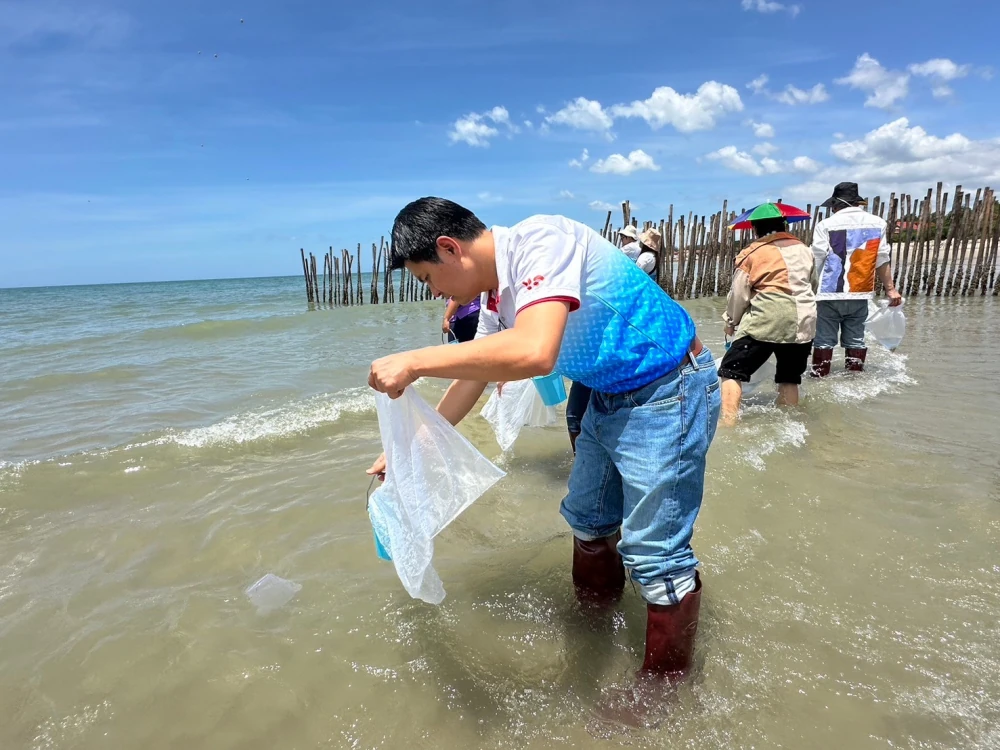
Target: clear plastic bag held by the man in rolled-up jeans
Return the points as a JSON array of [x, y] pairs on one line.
[[432, 474]]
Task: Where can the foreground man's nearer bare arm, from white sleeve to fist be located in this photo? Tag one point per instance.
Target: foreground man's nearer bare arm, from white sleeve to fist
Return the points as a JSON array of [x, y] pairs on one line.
[[528, 349]]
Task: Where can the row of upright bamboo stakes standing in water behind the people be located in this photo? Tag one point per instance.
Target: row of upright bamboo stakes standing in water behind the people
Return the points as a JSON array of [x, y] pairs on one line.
[[951, 252]]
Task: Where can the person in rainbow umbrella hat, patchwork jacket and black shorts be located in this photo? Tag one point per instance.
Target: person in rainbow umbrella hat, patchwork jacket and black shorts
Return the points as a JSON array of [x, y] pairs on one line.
[[771, 307]]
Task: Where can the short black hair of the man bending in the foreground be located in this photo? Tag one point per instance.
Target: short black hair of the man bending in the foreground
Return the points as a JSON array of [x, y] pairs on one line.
[[418, 226]]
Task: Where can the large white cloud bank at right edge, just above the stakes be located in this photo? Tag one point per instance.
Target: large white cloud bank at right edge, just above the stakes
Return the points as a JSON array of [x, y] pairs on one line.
[[900, 157]]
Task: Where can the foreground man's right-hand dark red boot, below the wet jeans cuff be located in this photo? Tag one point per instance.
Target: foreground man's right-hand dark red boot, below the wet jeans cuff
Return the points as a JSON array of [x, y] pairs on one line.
[[670, 634]]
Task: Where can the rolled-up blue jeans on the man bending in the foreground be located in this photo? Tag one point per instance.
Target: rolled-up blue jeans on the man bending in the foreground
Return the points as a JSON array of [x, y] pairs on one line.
[[640, 467]]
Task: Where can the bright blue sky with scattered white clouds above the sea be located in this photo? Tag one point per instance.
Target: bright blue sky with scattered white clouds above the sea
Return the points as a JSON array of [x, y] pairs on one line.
[[177, 140]]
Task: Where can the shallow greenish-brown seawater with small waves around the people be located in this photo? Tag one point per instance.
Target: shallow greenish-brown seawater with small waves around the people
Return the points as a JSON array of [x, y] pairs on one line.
[[164, 446]]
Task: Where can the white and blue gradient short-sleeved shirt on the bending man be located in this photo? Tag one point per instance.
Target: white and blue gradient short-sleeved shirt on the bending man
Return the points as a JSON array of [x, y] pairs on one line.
[[623, 331]]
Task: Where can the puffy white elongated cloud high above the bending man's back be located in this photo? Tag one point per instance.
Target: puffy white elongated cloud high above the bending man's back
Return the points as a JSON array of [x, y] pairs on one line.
[[686, 112]]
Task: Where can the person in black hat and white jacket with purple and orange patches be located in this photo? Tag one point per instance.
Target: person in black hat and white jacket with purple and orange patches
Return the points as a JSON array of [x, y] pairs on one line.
[[851, 249]]
